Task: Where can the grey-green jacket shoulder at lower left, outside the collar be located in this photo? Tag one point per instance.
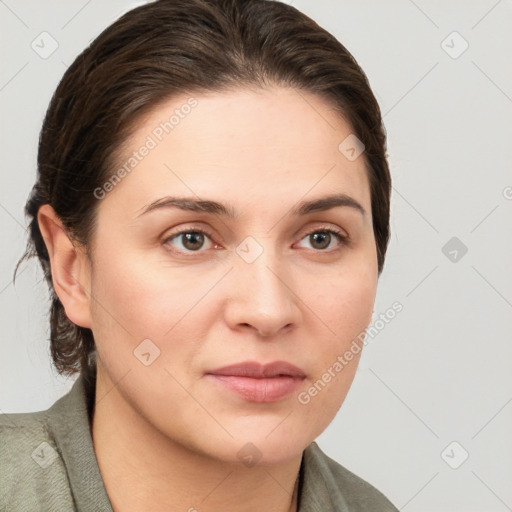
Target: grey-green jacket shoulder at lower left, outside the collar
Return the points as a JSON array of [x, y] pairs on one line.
[[33, 471]]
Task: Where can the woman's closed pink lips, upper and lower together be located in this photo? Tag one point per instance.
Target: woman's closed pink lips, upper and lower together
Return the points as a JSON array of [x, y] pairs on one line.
[[260, 383]]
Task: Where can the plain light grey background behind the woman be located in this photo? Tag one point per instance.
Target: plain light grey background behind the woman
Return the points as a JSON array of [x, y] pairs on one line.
[[440, 371]]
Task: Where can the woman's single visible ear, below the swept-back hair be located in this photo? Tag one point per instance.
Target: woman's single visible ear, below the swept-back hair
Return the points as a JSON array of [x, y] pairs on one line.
[[71, 273]]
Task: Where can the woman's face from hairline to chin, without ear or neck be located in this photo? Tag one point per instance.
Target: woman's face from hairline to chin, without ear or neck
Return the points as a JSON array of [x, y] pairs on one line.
[[265, 284]]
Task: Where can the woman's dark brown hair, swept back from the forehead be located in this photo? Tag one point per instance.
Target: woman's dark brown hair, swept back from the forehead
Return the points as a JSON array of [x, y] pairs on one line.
[[149, 55]]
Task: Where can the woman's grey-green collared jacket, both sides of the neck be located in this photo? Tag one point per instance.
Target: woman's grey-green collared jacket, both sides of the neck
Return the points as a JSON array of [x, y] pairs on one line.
[[47, 463]]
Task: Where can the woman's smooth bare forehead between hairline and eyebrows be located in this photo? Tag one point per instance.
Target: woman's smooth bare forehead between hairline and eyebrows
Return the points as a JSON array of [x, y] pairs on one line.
[[260, 146]]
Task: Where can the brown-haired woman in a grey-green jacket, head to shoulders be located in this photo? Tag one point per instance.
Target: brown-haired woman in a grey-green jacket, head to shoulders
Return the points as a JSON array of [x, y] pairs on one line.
[[212, 215]]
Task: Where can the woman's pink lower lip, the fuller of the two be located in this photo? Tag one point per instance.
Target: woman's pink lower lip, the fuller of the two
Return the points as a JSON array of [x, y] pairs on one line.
[[260, 390]]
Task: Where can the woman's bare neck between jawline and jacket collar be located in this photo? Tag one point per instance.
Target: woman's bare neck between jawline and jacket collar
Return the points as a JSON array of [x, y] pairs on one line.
[[143, 469]]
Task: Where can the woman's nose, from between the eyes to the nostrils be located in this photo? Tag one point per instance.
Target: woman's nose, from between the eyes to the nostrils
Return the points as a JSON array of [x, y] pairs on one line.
[[261, 295]]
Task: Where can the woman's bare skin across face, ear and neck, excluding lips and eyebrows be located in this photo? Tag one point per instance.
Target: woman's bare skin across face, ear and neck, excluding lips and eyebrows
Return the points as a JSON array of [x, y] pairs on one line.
[[166, 436]]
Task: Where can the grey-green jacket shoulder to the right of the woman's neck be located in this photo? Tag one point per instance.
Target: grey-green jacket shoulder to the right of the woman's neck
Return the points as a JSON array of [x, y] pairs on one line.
[[346, 490]]
